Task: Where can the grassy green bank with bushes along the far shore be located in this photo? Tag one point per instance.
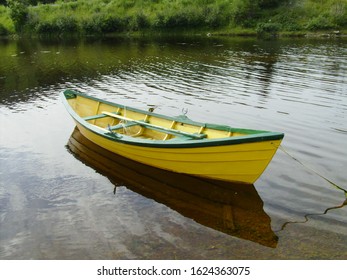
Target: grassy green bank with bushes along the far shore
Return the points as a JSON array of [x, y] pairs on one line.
[[214, 16]]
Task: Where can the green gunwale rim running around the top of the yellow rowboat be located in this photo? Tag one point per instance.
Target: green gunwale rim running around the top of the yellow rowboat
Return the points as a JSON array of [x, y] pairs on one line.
[[250, 137]]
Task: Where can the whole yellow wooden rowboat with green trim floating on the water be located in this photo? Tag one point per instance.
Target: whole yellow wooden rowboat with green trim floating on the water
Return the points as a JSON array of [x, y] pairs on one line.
[[176, 144]]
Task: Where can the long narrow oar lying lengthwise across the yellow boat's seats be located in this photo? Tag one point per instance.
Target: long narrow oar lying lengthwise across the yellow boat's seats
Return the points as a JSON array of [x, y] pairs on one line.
[[157, 127]]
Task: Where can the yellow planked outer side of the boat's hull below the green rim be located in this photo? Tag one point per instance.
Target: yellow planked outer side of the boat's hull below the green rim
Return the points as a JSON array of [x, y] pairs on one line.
[[237, 163]]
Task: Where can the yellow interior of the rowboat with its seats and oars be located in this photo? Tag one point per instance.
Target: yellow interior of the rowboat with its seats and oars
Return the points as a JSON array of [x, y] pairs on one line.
[[121, 120]]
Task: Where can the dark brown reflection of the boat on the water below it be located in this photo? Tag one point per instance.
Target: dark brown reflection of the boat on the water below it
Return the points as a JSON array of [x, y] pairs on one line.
[[236, 210]]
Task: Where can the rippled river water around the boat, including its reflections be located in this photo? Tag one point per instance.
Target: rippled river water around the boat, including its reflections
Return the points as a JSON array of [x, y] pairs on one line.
[[62, 197]]
